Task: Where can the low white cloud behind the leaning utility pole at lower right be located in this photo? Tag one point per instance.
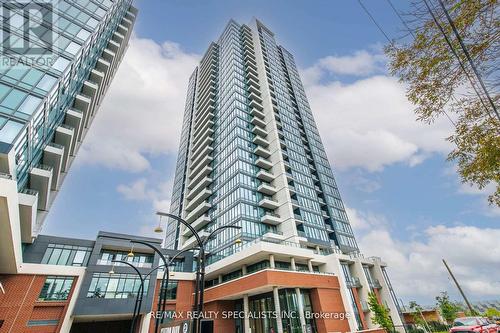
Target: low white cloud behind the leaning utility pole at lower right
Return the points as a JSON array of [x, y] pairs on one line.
[[415, 266]]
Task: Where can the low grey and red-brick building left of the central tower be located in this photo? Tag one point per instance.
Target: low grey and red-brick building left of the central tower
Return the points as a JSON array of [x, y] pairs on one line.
[[65, 285]]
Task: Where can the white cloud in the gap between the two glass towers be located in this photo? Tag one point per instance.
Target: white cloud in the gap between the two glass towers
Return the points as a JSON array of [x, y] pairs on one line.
[[142, 113]]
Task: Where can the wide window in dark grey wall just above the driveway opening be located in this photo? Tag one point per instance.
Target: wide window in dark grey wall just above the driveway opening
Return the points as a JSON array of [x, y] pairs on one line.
[[104, 285]]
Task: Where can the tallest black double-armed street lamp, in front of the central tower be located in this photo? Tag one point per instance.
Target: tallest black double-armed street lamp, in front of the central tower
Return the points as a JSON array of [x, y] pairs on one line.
[[200, 271]]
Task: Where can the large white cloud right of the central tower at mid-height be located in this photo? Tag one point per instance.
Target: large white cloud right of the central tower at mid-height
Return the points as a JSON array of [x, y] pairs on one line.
[[370, 123]]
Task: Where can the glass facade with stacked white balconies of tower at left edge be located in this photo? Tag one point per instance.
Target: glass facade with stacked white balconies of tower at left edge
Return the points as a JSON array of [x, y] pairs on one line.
[[50, 90]]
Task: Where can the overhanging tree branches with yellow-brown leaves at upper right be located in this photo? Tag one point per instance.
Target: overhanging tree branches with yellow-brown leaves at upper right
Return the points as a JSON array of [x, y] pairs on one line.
[[439, 87]]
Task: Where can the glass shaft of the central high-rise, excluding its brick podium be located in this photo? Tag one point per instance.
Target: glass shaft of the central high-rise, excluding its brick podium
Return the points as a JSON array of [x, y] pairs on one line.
[[251, 154]]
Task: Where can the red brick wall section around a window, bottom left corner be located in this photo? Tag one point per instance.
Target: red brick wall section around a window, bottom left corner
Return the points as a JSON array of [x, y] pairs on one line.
[[20, 304]]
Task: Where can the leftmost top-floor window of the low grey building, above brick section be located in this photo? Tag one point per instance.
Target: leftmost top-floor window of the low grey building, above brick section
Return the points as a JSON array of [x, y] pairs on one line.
[[66, 255]]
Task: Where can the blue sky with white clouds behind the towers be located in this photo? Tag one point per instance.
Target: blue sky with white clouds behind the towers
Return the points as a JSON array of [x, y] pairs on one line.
[[404, 200]]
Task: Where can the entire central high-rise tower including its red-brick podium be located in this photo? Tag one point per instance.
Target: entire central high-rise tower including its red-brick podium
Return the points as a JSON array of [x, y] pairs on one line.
[[251, 156]]
